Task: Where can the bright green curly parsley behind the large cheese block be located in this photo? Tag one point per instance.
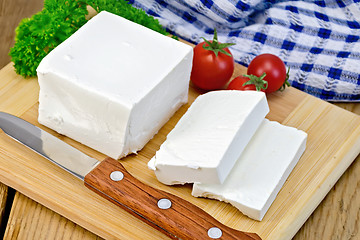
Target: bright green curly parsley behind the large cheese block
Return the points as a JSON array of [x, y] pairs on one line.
[[59, 19]]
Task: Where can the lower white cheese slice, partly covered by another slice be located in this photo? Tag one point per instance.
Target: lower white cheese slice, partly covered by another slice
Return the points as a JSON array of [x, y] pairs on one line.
[[261, 170]]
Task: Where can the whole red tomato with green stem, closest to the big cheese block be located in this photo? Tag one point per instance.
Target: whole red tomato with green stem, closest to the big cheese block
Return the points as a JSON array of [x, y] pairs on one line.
[[212, 69]]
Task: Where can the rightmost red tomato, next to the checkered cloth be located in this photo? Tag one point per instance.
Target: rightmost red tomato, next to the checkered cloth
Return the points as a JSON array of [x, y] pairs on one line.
[[275, 70]]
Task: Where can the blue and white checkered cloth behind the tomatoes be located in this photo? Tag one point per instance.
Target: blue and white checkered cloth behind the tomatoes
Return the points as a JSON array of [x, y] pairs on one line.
[[318, 40]]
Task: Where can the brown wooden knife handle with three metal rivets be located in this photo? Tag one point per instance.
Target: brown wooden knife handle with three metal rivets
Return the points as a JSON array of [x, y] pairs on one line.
[[168, 213]]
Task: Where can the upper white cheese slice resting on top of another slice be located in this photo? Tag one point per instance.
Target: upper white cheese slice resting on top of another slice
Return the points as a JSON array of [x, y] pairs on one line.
[[209, 137]]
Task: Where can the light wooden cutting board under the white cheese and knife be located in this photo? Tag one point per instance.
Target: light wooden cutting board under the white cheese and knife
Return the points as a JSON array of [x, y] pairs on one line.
[[333, 143]]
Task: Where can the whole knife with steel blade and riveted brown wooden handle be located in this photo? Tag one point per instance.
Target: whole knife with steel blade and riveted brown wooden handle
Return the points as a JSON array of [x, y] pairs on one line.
[[172, 215]]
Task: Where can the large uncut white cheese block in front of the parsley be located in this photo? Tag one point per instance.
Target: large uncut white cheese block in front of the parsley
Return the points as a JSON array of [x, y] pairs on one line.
[[113, 84]]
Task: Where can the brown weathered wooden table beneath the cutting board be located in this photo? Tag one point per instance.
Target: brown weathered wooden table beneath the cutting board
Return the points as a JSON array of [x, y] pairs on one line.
[[337, 217]]
